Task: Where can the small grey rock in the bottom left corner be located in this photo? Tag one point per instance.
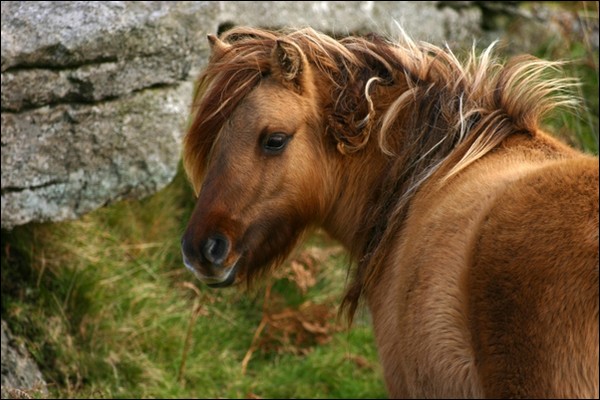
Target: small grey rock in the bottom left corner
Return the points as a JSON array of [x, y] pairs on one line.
[[21, 378]]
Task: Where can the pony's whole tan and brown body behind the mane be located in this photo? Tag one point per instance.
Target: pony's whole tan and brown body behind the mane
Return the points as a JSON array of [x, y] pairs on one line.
[[494, 280]]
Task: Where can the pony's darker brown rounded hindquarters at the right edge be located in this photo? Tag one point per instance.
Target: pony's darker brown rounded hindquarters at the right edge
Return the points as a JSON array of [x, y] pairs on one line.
[[533, 286]]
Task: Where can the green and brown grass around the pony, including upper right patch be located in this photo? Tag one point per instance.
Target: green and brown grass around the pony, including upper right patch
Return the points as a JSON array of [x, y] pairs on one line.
[[107, 310]]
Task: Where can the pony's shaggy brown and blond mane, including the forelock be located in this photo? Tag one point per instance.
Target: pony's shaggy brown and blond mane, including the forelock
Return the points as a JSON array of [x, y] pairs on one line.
[[424, 109]]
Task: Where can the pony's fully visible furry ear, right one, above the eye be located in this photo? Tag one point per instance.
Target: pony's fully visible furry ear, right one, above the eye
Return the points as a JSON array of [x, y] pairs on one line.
[[290, 66]]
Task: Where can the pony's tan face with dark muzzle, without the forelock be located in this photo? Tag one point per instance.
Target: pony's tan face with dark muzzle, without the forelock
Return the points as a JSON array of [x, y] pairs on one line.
[[264, 181]]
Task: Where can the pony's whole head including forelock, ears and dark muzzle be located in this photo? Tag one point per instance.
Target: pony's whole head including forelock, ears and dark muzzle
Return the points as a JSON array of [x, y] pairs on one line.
[[254, 155]]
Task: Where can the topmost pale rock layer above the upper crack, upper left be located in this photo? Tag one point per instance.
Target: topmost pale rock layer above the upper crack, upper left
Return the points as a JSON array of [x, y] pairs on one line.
[[73, 33]]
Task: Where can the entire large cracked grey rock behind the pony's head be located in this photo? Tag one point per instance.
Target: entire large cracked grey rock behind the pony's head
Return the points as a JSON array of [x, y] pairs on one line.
[[80, 127]]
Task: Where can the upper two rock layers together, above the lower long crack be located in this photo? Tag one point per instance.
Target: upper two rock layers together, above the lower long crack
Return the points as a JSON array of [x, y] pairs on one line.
[[89, 51]]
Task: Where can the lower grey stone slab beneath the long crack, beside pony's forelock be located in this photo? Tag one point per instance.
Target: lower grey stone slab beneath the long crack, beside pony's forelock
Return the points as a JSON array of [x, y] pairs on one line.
[[69, 159]]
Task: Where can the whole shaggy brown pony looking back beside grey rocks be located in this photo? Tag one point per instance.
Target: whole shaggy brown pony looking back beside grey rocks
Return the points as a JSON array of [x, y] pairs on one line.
[[474, 233]]
